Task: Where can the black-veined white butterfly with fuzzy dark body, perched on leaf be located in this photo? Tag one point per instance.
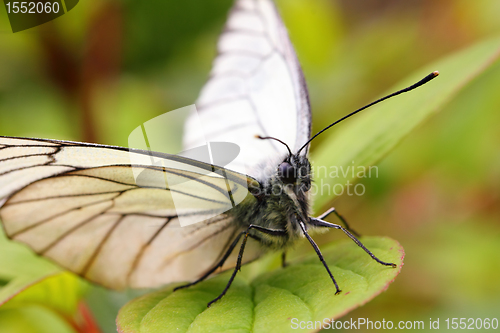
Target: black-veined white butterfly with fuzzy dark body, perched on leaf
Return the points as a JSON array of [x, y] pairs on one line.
[[82, 206]]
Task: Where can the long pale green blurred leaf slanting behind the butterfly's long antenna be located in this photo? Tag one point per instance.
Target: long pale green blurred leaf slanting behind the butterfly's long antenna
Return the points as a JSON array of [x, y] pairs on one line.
[[363, 140]]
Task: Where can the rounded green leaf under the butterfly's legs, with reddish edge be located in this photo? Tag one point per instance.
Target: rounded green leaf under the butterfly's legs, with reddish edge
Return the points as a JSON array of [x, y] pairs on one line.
[[302, 290]]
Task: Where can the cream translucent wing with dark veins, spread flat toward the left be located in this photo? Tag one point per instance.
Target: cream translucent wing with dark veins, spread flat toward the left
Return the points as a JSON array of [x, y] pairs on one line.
[[81, 206]]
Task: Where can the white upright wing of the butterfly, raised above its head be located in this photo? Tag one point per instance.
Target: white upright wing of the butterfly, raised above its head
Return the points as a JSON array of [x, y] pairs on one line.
[[256, 87]]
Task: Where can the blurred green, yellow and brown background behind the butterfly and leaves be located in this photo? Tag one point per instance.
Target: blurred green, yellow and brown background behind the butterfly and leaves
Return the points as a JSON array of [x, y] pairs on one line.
[[104, 68]]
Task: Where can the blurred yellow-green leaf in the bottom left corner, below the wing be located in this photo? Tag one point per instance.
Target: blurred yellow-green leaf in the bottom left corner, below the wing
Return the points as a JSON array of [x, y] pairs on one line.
[[36, 296]]
